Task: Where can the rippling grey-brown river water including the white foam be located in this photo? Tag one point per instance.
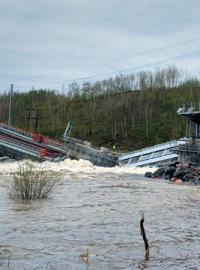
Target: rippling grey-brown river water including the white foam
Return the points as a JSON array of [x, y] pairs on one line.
[[100, 209]]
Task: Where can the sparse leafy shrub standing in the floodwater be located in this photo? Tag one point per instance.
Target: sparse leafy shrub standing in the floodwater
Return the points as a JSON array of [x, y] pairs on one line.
[[30, 182]]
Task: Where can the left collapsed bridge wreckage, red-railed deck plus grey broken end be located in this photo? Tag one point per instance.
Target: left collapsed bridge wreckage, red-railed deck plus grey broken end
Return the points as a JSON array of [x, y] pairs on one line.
[[19, 144]]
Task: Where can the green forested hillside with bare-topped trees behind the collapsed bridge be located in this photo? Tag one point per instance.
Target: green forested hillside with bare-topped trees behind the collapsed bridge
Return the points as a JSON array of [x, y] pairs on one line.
[[129, 111]]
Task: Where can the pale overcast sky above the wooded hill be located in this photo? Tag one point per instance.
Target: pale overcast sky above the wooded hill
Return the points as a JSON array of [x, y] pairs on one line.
[[48, 43]]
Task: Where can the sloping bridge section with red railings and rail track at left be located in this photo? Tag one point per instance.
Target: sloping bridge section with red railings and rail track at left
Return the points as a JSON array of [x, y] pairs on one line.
[[18, 144]]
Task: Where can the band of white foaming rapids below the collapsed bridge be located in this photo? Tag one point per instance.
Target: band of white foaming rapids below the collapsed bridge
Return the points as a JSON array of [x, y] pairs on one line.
[[80, 166]]
